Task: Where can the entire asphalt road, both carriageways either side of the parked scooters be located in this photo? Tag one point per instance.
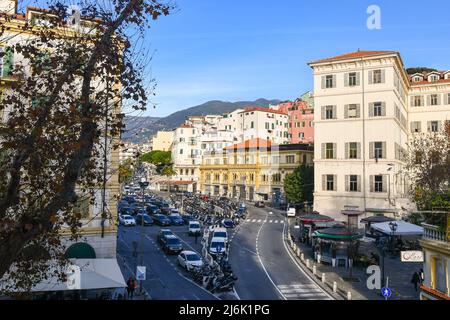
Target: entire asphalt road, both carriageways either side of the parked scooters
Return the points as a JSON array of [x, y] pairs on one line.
[[258, 256]]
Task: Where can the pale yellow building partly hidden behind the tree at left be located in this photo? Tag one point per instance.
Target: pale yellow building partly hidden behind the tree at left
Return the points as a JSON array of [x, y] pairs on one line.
[[98, 236]]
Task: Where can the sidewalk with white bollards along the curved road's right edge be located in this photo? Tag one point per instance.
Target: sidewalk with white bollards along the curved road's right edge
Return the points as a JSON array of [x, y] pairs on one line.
[[399, 275]]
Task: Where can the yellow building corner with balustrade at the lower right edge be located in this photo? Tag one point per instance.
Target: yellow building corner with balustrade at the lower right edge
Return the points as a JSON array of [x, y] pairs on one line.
[[436, 265]]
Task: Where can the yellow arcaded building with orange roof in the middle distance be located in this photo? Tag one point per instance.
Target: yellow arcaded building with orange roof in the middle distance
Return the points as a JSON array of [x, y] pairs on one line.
[[253, 170]]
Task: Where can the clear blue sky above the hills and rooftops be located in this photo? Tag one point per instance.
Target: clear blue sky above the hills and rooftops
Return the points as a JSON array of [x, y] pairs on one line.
[[242, 50]]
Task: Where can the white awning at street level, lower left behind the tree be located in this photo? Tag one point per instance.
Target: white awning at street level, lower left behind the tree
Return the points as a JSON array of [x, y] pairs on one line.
[[94, 274]]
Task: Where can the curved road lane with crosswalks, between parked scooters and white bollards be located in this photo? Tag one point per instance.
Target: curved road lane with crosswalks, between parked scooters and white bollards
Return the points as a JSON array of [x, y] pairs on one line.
[[262, 263]]
